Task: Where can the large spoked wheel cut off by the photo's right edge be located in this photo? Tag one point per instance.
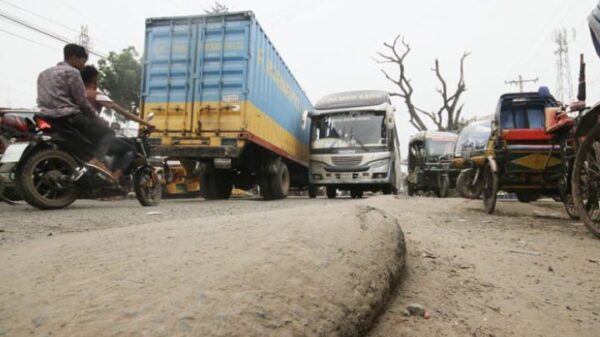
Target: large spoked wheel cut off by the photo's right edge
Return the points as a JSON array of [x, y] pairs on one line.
[[586, 181]]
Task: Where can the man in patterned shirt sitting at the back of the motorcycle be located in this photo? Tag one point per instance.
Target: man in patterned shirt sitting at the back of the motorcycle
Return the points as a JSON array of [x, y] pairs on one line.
[[61, 99]]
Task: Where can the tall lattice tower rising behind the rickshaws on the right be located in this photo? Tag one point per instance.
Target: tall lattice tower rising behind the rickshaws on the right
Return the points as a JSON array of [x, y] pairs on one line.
[[564, 84]]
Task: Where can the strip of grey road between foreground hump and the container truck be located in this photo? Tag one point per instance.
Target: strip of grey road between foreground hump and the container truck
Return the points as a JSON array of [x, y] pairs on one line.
[[22, 222]]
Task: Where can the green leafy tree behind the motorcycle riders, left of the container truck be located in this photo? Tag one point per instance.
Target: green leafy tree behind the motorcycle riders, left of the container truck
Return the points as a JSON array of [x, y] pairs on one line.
[[120, 76]]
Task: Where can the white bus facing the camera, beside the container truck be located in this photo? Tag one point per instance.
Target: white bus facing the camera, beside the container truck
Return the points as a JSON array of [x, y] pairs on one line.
[[353, 144]]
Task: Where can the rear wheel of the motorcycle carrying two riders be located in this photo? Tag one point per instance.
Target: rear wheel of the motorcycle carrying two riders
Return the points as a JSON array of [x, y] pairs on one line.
[[35, 179]]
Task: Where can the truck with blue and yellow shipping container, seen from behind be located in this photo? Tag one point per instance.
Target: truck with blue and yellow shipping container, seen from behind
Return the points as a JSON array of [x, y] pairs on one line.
[[225, 104]]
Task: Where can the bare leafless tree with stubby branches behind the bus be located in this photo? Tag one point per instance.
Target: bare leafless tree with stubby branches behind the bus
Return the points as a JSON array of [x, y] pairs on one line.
[[447, 117]]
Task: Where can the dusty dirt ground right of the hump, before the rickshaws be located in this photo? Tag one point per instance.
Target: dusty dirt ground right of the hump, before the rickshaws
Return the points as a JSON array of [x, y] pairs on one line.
[[508, 274]]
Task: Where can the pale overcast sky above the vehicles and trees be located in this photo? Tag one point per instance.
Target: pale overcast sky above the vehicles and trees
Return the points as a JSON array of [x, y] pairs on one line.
[[330, 45]]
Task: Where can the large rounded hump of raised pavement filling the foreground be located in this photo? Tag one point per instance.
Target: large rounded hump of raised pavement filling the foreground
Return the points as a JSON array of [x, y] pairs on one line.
[[295, 272]]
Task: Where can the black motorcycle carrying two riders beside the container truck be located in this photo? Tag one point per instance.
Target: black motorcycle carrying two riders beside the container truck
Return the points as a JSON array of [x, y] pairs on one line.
[[51, 170]]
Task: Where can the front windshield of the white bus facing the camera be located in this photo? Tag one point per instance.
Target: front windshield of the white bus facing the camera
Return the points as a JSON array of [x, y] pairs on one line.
[[360, 129]]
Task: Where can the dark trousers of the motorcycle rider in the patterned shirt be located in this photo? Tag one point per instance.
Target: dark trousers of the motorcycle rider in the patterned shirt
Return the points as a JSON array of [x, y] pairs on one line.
[[97, 132]]
